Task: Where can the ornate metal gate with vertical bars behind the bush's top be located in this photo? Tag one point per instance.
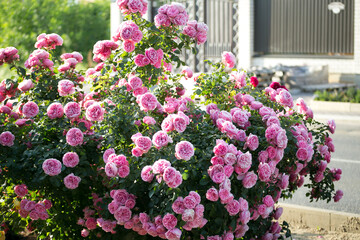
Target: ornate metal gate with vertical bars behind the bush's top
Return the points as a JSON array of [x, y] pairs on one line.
[[221, 17]]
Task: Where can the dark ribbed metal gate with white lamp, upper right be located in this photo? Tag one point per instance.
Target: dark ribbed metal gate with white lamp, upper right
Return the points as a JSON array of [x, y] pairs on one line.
[[304, 27]]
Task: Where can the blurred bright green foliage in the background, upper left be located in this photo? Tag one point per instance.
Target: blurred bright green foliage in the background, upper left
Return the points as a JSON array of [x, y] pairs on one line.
[[22, 20]]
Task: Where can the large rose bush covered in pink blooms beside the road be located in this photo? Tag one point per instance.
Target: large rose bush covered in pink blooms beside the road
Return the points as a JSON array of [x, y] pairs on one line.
[[135, 155]]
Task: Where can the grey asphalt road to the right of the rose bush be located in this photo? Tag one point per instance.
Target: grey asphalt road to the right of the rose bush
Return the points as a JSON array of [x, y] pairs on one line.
[[347, 157]]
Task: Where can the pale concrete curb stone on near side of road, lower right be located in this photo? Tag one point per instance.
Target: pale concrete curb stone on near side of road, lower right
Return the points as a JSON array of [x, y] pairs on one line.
[[320, 218]]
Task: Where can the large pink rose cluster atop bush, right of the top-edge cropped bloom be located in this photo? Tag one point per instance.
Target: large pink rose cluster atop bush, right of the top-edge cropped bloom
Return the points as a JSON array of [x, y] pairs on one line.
[[171, 14]]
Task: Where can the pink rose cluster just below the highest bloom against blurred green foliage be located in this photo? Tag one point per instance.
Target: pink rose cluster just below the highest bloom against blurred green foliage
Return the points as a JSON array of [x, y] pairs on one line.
[[39, 59]]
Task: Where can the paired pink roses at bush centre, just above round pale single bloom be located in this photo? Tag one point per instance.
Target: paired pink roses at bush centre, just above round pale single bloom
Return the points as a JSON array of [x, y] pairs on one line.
[[177, 122]]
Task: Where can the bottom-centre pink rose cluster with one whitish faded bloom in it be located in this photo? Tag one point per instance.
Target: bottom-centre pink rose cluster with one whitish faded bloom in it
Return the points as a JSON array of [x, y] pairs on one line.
[[192, 212]]
